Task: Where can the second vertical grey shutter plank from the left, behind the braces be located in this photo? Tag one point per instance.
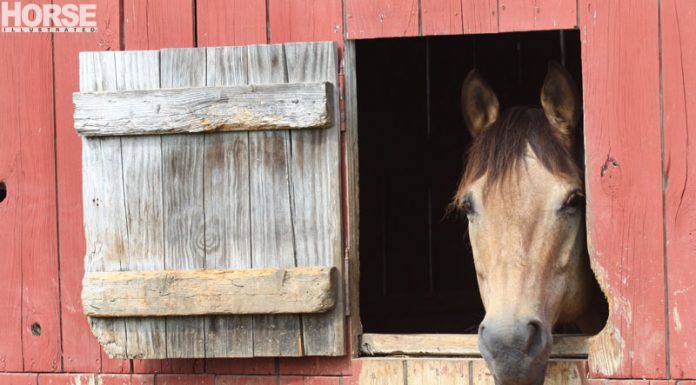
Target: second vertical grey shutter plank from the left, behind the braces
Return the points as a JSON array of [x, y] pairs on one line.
[[142, 163]]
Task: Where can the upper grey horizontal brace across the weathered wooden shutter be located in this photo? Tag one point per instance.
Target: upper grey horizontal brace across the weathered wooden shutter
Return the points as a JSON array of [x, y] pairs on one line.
[[204, 109]]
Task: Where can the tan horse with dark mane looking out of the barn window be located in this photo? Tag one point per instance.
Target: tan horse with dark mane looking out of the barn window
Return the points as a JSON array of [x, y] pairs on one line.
[[522, 193]]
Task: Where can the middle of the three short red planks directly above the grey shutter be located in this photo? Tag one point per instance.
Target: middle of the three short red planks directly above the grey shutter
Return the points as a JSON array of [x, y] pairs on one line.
[[231, 22]]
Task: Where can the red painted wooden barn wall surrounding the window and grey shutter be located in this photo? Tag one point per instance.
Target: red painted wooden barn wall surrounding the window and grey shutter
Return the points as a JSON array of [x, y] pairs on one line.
[[639, 79]]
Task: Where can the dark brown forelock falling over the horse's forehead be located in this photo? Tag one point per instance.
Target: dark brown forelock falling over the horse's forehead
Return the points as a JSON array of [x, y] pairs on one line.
[[503, 146]]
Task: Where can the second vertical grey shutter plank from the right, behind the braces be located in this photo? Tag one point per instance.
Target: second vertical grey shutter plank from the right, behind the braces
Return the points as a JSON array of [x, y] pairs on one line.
[[272, 243]]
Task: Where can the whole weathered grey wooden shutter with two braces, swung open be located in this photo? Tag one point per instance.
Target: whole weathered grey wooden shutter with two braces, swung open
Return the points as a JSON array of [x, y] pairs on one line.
[[229, 170]]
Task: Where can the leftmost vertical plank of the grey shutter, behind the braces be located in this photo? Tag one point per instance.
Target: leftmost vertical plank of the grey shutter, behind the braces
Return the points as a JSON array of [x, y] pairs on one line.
[[106, 235]]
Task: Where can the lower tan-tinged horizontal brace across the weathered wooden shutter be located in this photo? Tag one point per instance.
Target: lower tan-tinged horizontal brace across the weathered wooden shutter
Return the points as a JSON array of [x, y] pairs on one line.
[[205, 292]]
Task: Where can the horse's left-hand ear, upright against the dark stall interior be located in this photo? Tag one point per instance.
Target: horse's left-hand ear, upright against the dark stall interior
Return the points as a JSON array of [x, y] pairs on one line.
[[479, 103]]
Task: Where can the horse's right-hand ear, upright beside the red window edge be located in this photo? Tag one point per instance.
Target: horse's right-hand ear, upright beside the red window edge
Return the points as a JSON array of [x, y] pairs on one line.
[[559, 98]]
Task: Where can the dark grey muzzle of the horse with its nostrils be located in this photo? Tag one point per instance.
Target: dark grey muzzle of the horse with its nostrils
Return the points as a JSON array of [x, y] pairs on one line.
[[516, 351]]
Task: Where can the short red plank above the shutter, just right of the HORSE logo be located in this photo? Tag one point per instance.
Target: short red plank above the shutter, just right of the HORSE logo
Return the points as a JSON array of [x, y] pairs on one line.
[[155, 24]]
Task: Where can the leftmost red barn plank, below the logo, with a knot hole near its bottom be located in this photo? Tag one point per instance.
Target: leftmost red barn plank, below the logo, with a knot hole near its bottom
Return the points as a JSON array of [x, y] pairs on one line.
[[28, 232]]
